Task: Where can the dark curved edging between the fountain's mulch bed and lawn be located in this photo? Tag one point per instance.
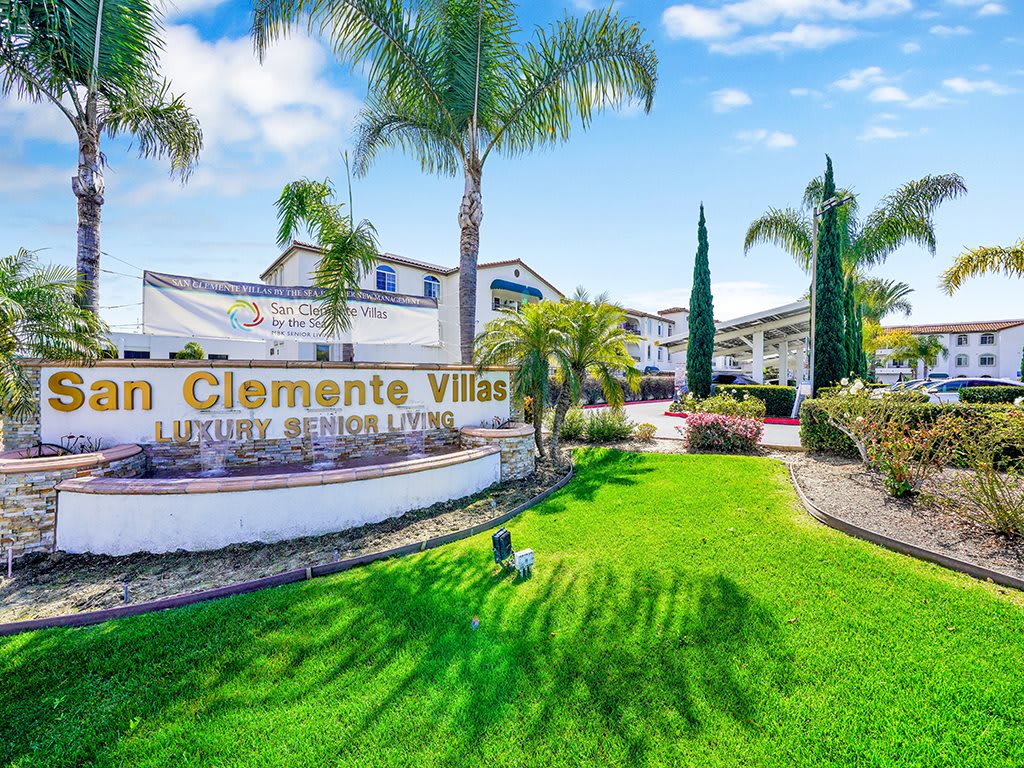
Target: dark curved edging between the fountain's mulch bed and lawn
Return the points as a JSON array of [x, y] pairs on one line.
[[288, 577]]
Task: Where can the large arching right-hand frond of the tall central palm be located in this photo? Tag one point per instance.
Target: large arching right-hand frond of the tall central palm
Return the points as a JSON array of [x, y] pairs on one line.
[[575, 69]]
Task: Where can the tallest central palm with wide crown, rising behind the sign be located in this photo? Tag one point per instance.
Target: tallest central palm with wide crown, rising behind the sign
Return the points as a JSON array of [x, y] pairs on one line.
[[449, 84]]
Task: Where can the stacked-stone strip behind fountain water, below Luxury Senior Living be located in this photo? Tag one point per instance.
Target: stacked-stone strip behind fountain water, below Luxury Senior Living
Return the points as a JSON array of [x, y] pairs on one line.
[[195, 457]]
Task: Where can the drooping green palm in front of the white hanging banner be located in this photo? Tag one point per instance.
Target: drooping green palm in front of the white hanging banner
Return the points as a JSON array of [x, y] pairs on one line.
[[349, 250]]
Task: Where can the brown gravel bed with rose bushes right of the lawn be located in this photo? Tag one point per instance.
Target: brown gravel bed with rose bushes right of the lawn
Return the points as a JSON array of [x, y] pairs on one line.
[[845, 490]]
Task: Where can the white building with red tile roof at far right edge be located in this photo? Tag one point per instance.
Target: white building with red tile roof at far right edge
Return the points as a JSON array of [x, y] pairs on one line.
[[991, 349]]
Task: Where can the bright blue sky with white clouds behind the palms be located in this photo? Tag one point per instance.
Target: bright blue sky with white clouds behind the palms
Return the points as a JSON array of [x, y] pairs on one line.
[[752, 95]]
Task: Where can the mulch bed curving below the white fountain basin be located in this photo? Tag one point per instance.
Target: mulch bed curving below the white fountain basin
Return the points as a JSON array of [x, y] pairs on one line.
[[59, 584]]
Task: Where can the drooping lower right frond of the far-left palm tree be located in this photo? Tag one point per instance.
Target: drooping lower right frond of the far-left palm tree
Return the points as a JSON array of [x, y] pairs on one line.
[[161, 122]]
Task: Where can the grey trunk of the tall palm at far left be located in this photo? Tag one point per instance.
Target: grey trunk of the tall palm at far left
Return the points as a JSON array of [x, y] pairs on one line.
[[89, 188]]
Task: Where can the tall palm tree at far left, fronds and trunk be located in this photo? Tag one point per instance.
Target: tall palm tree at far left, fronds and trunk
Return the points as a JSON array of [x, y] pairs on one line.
[[97, 62]]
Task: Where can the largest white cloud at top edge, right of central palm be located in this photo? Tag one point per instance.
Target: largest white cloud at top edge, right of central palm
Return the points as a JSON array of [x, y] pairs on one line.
[[720, 26]]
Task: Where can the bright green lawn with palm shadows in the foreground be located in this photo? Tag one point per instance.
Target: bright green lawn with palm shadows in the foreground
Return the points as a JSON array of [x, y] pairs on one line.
[[684, 612]]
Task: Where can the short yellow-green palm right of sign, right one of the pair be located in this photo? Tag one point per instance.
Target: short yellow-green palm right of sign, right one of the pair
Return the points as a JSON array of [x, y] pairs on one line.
[[590, 342]]
